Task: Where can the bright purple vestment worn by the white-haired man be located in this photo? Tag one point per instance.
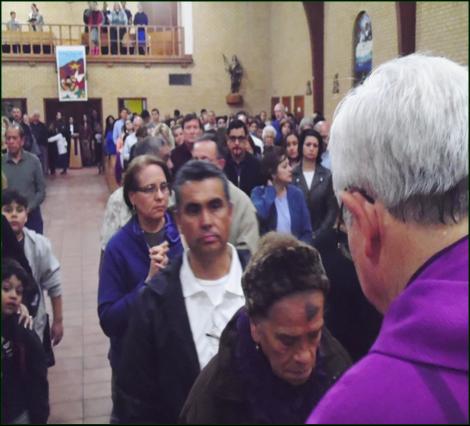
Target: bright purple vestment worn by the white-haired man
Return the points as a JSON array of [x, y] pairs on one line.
[[417, 370]]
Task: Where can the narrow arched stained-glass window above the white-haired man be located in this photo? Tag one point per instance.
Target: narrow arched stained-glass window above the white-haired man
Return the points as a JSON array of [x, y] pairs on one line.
[[362, 48]]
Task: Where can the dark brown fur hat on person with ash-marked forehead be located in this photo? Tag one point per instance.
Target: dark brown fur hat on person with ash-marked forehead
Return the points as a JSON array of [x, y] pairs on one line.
[[282, 266]]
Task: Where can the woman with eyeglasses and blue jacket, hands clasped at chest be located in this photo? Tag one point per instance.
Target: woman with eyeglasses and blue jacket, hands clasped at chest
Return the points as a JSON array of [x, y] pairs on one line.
[[137, 252]]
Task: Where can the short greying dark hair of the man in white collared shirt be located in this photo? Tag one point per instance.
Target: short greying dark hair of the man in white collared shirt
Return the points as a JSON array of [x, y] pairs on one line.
[[196, 170]]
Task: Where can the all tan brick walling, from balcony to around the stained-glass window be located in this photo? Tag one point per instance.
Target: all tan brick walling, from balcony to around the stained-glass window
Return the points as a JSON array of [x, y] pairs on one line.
[[271, 40]]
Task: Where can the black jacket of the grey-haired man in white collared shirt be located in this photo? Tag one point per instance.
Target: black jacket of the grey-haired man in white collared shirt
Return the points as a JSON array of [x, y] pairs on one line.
[[159, 362]]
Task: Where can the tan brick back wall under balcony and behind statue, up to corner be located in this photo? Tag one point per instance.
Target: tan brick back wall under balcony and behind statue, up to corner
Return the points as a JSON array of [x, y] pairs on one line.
[[219, 28]]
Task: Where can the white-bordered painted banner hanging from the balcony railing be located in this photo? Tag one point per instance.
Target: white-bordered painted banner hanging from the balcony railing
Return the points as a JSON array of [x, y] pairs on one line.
[[71, 73]]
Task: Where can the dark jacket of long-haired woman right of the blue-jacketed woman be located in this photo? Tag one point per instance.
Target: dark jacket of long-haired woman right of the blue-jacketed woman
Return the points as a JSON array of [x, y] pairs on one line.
[[320, 198]]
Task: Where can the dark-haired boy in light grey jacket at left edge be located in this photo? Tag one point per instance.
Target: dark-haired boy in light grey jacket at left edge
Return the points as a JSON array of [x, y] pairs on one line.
[[44, 265]]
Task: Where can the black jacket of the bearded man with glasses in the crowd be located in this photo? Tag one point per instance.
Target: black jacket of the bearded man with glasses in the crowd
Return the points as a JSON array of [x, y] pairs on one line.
[[246, 175]]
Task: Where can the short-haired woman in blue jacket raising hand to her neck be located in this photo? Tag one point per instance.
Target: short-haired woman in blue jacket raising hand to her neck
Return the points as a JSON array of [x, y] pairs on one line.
[[280, 205]]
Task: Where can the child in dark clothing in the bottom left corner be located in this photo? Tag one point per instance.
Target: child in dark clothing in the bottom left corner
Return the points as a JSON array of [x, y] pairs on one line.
[[25, 391]]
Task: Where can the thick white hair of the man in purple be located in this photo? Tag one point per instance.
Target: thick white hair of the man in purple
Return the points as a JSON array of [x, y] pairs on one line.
[[402, 136]]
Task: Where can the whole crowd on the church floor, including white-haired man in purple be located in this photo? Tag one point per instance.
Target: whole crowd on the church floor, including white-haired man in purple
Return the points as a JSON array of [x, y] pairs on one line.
[[234, 252]]
